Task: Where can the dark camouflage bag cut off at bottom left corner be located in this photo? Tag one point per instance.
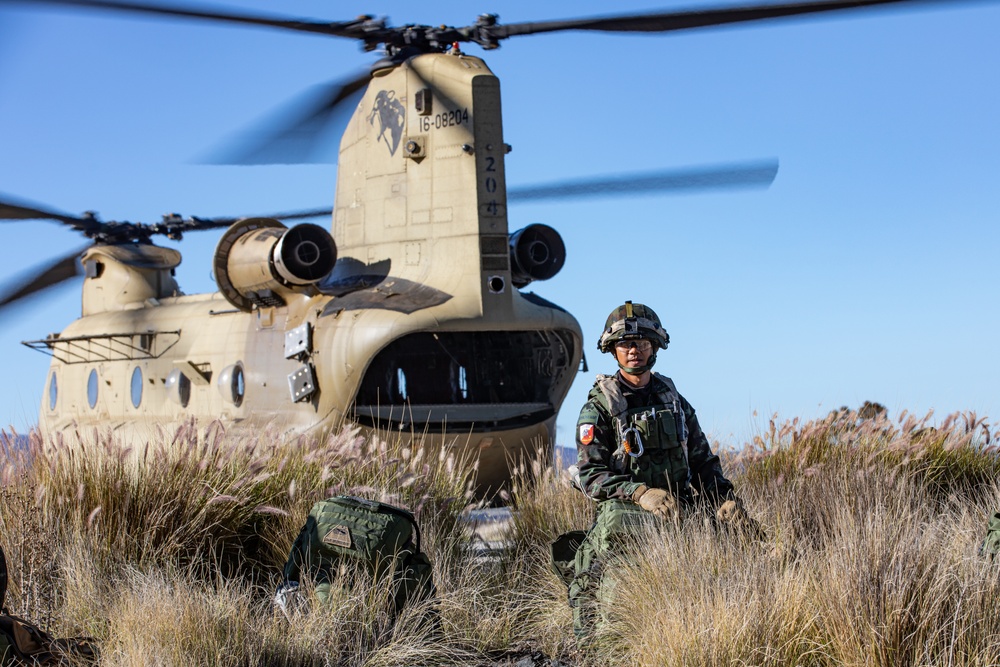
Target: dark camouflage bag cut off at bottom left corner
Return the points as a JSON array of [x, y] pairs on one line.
[[23, 643]]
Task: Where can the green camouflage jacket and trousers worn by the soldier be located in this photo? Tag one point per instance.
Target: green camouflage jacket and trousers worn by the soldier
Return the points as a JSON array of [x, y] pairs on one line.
[[676, 456]]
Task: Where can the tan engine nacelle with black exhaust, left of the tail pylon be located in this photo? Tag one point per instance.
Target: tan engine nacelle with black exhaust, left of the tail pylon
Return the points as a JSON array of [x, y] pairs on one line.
[[260, 262]]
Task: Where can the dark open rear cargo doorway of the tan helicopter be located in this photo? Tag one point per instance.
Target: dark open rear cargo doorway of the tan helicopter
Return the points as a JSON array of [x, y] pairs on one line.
[[475, 376]]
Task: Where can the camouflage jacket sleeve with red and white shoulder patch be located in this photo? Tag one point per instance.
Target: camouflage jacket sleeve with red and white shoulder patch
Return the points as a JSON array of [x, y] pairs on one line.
[[600, 481]]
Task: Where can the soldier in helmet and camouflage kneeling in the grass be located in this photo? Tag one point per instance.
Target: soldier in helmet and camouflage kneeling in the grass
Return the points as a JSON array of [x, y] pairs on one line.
[[641, 454]]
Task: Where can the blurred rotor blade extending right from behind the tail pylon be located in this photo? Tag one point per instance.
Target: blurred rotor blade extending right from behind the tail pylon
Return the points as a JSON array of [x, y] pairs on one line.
[[750, 174]]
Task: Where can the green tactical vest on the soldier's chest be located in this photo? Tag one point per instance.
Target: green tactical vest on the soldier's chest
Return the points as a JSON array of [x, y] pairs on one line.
[[652, 440]]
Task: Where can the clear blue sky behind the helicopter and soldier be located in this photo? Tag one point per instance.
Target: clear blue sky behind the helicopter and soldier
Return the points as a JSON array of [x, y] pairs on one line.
[[868, 270]]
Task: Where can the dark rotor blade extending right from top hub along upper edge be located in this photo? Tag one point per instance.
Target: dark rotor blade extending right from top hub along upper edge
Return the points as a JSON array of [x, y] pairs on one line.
[[697, 18]]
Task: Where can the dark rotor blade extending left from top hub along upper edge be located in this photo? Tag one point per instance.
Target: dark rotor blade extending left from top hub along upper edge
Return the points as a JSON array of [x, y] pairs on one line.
[[336, 29]]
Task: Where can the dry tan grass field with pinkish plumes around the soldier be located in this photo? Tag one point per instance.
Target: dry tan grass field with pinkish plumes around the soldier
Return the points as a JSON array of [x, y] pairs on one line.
[[170, 556]]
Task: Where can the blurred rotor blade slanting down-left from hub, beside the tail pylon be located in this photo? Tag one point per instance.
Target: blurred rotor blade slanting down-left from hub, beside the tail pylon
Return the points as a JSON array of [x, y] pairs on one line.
[[291, 136]]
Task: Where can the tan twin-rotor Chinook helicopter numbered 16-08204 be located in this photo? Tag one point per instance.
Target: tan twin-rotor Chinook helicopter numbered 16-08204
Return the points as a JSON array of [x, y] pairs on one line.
[[409, 318]]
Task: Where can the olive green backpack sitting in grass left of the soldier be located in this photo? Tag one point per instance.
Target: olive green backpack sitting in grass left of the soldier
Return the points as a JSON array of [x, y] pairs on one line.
[[345, 535]]
